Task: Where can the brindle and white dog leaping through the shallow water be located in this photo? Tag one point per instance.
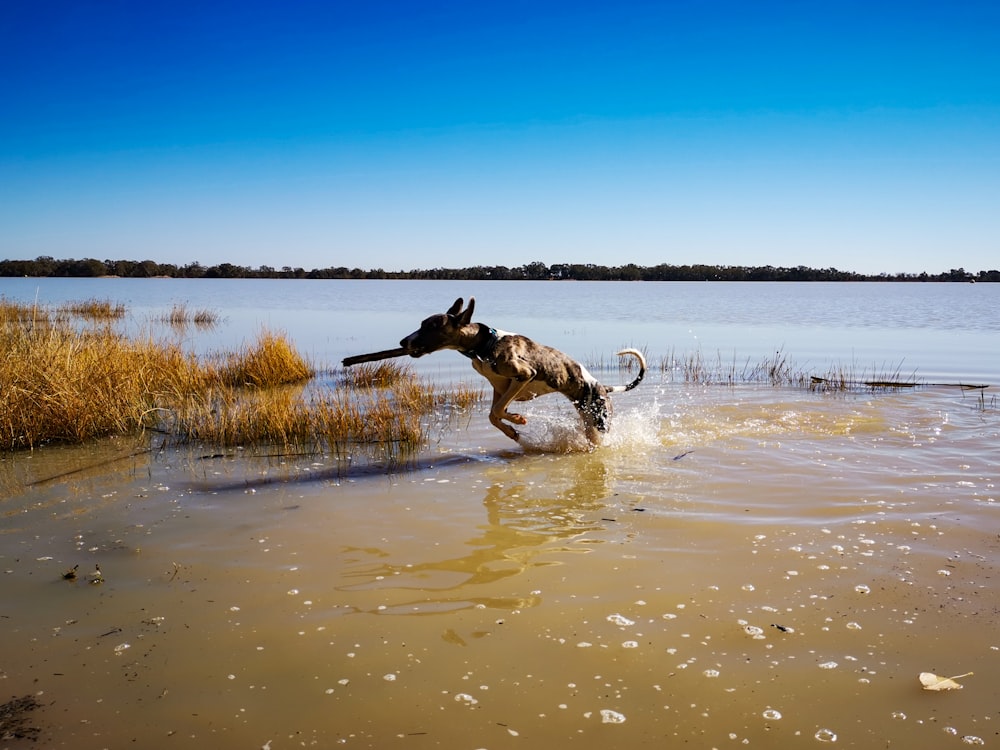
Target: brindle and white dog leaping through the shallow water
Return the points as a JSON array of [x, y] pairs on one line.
[[519, 369]]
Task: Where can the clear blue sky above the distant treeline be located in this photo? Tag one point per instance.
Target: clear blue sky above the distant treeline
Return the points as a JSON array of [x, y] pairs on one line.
[[858, 135]]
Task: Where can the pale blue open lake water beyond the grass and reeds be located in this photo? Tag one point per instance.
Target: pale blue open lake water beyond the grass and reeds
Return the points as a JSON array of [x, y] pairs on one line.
[[940, 331]]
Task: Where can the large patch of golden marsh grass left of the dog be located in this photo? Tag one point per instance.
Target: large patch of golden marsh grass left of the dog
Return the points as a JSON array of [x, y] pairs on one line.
[[61, 383]]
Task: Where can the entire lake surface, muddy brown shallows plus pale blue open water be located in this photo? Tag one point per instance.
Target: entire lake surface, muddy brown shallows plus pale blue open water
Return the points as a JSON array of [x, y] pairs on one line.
[[742, 565]]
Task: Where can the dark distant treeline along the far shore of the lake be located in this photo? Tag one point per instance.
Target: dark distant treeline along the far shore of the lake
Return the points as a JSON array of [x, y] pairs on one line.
[[89, 267]]
